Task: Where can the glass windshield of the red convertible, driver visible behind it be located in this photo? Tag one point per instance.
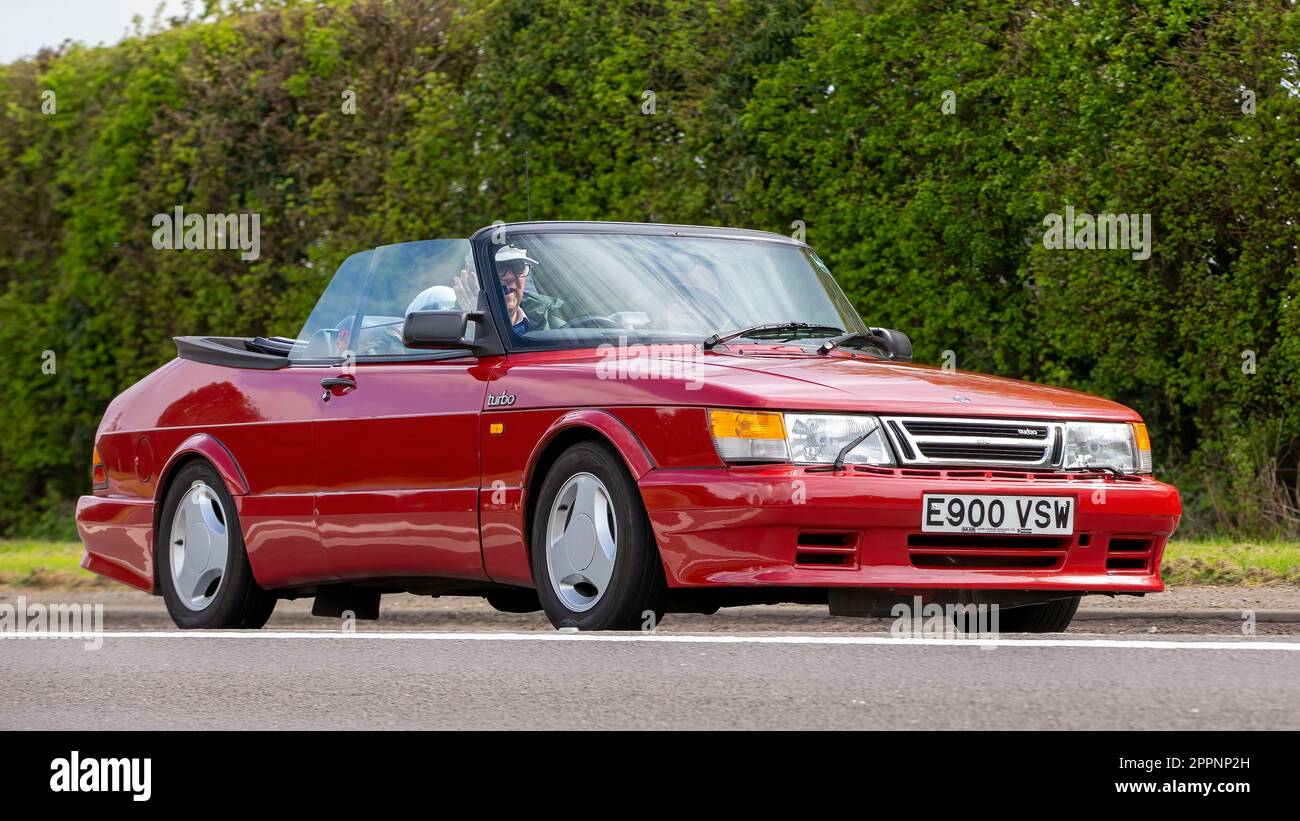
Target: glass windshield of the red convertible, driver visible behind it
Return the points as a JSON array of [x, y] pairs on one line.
[[569, 289]]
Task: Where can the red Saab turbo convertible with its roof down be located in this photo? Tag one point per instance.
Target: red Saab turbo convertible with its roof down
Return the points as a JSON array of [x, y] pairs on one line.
[[610, 422]]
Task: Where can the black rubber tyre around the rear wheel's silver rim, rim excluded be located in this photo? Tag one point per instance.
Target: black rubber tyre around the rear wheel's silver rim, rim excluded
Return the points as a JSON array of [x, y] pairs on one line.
[[239, 602]]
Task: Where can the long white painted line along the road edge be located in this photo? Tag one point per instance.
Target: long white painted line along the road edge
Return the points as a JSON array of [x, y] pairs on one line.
[[1249, 645]]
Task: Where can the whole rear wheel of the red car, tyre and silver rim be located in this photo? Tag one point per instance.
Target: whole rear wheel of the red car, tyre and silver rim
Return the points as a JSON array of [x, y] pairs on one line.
[[203, 568]]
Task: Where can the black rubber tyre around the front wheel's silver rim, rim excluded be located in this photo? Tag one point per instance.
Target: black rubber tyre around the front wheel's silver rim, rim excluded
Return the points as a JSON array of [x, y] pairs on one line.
[[638, 587]]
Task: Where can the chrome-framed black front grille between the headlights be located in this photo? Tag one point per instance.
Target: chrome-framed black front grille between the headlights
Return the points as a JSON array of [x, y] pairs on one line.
[[941, 442]]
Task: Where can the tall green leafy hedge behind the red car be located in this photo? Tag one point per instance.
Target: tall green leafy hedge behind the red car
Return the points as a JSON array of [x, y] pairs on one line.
[[921, 145]]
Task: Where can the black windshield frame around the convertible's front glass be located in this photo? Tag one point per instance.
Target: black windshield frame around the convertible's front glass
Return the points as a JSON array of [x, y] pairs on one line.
[[487, 242]]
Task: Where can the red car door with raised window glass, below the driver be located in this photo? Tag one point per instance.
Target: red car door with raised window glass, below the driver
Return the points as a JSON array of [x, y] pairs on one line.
[[397, 440]]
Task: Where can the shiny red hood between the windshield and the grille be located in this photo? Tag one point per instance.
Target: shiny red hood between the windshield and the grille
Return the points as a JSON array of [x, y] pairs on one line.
[[857, 384]]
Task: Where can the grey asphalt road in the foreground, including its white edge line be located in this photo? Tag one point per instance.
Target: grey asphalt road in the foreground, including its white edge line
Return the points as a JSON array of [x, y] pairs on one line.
[[444, 680]]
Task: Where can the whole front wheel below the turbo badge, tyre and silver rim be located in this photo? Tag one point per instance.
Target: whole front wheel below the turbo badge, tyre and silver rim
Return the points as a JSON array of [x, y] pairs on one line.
[[595, 558]]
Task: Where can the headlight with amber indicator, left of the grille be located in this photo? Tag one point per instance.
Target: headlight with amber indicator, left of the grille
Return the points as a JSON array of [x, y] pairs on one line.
[[765, 436]]
